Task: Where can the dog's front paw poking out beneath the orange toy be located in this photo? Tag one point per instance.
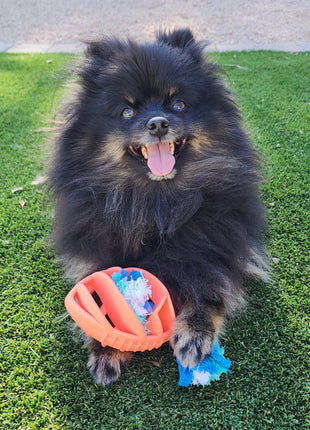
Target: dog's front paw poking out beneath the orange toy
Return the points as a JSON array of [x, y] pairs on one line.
[[105, 363]]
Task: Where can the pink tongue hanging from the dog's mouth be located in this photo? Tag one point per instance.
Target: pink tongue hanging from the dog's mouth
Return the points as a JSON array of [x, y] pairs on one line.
[[160, 160]]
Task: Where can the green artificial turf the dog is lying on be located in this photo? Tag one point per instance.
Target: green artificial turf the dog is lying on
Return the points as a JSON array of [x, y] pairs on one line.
[[44, 380]]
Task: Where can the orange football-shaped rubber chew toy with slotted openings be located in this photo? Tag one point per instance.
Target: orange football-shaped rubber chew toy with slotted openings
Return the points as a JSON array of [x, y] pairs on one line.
[[99, 308]]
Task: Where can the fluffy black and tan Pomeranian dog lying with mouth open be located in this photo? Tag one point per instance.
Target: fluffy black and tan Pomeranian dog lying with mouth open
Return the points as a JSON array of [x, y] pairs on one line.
[[153, 170]]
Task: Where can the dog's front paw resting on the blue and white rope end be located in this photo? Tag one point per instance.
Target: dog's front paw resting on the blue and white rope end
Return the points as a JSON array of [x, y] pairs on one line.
[[193, 336]]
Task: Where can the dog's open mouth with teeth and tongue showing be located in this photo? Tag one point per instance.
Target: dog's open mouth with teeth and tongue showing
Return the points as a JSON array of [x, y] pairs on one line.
[[160, 156]]
